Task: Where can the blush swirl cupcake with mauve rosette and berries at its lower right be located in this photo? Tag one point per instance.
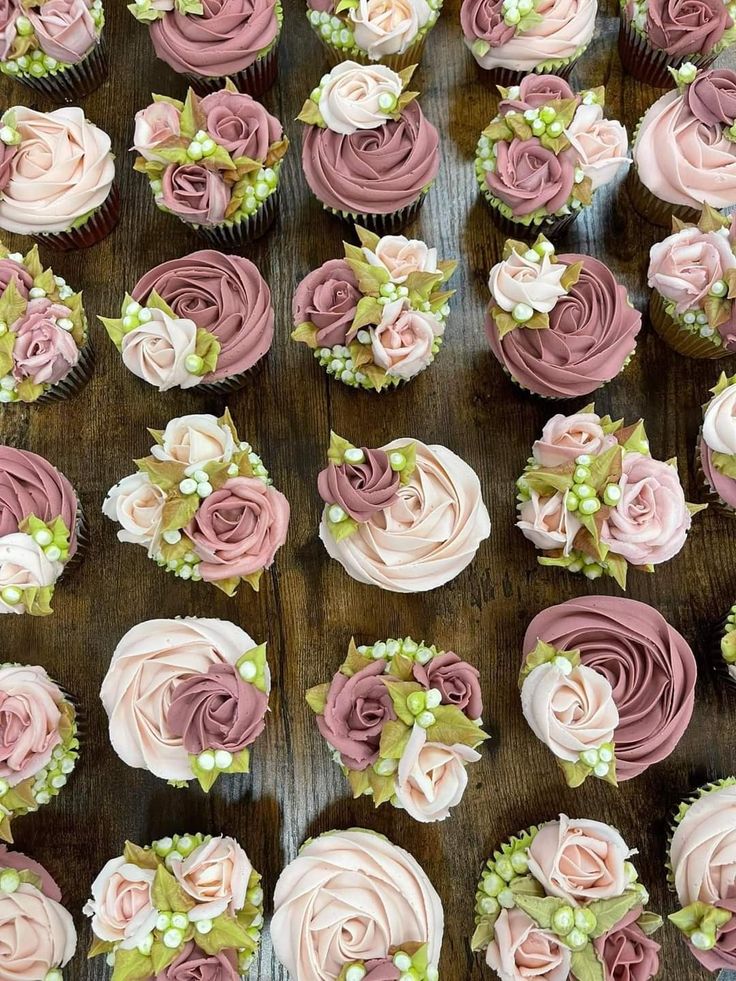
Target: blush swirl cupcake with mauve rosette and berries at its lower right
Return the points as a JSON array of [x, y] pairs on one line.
[[186, 698]]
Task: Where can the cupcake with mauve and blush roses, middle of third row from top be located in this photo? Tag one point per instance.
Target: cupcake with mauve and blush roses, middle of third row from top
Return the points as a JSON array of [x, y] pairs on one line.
[[377, 317]]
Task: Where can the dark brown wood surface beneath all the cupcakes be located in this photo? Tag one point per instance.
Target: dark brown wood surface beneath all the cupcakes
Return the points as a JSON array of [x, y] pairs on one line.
[[308, 607]]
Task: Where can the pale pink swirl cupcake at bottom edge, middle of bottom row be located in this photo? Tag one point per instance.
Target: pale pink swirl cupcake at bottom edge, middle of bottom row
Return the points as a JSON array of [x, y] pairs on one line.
[[354, 905]]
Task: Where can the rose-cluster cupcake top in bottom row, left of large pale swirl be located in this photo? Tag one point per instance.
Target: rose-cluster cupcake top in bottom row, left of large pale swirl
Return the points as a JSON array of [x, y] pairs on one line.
[[187, 906]]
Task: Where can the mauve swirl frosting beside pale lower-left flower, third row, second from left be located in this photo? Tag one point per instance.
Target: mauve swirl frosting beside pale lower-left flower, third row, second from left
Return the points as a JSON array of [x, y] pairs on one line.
[[224, 294]]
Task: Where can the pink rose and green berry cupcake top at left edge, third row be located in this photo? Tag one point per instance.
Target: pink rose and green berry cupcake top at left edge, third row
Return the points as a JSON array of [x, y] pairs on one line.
[[43, 327]]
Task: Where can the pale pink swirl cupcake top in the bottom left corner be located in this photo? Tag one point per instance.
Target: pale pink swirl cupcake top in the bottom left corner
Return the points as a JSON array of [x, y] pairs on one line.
[[37, 935]]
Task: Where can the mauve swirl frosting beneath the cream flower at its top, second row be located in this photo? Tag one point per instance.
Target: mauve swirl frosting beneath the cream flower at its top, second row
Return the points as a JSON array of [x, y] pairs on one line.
[[372, 171]]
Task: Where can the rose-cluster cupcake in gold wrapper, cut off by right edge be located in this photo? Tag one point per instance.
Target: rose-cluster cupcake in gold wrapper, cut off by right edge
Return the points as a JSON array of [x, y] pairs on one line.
[[692, 274]]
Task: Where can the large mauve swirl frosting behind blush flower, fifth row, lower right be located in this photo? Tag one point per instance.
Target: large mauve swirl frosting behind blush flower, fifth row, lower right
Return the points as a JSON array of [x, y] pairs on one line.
[[649, 665]]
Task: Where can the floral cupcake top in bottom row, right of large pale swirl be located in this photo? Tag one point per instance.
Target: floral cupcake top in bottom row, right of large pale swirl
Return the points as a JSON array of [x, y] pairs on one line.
[[564, 897]]
